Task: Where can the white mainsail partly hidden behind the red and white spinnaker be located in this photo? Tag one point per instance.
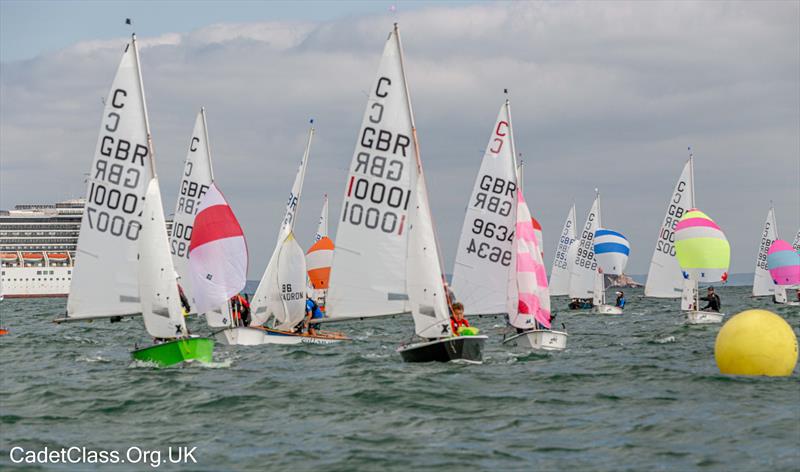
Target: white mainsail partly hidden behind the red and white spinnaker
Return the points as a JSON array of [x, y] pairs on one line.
[[195, 182]]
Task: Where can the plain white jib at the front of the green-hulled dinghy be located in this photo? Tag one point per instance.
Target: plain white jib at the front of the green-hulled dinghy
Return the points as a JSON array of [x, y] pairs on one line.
[[158, 286]]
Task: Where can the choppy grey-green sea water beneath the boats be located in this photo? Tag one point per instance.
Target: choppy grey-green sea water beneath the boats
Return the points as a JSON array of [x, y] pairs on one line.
[[637, 392]]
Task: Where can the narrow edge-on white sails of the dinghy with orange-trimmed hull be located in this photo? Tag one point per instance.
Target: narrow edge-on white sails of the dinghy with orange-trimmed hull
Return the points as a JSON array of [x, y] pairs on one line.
[[278, 292]]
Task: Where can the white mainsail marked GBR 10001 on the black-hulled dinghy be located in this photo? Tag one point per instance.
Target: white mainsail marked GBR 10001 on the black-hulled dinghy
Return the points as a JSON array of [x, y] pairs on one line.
[[368, 275]]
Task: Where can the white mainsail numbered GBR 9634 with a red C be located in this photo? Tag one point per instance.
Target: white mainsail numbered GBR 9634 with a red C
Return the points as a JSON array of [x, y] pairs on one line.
[[484, 258]]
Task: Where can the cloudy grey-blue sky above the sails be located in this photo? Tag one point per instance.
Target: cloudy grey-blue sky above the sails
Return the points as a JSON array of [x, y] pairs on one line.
[[605, 95]]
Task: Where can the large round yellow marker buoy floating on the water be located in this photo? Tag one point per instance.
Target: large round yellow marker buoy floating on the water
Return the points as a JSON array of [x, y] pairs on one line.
[[756, 342]]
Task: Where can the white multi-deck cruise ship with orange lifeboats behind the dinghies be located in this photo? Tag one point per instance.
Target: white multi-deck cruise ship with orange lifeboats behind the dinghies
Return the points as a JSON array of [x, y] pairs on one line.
[[37, 248]]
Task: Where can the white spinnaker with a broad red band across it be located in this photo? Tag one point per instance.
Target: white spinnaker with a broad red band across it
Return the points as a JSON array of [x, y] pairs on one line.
[[217, 253]]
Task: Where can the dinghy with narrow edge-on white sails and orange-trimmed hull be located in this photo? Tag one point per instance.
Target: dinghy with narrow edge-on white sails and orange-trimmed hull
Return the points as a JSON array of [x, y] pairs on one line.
[[280, 298]]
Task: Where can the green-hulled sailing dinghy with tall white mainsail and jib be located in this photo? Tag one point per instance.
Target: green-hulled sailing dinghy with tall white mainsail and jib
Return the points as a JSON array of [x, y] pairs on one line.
[[124, 266]]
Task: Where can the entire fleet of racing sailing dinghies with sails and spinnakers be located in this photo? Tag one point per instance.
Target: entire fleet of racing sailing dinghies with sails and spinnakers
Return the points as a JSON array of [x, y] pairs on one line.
[[386, 260]]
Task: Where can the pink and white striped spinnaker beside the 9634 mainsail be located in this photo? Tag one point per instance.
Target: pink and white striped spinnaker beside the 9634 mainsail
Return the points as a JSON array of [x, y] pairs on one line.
[[532, 291]]
